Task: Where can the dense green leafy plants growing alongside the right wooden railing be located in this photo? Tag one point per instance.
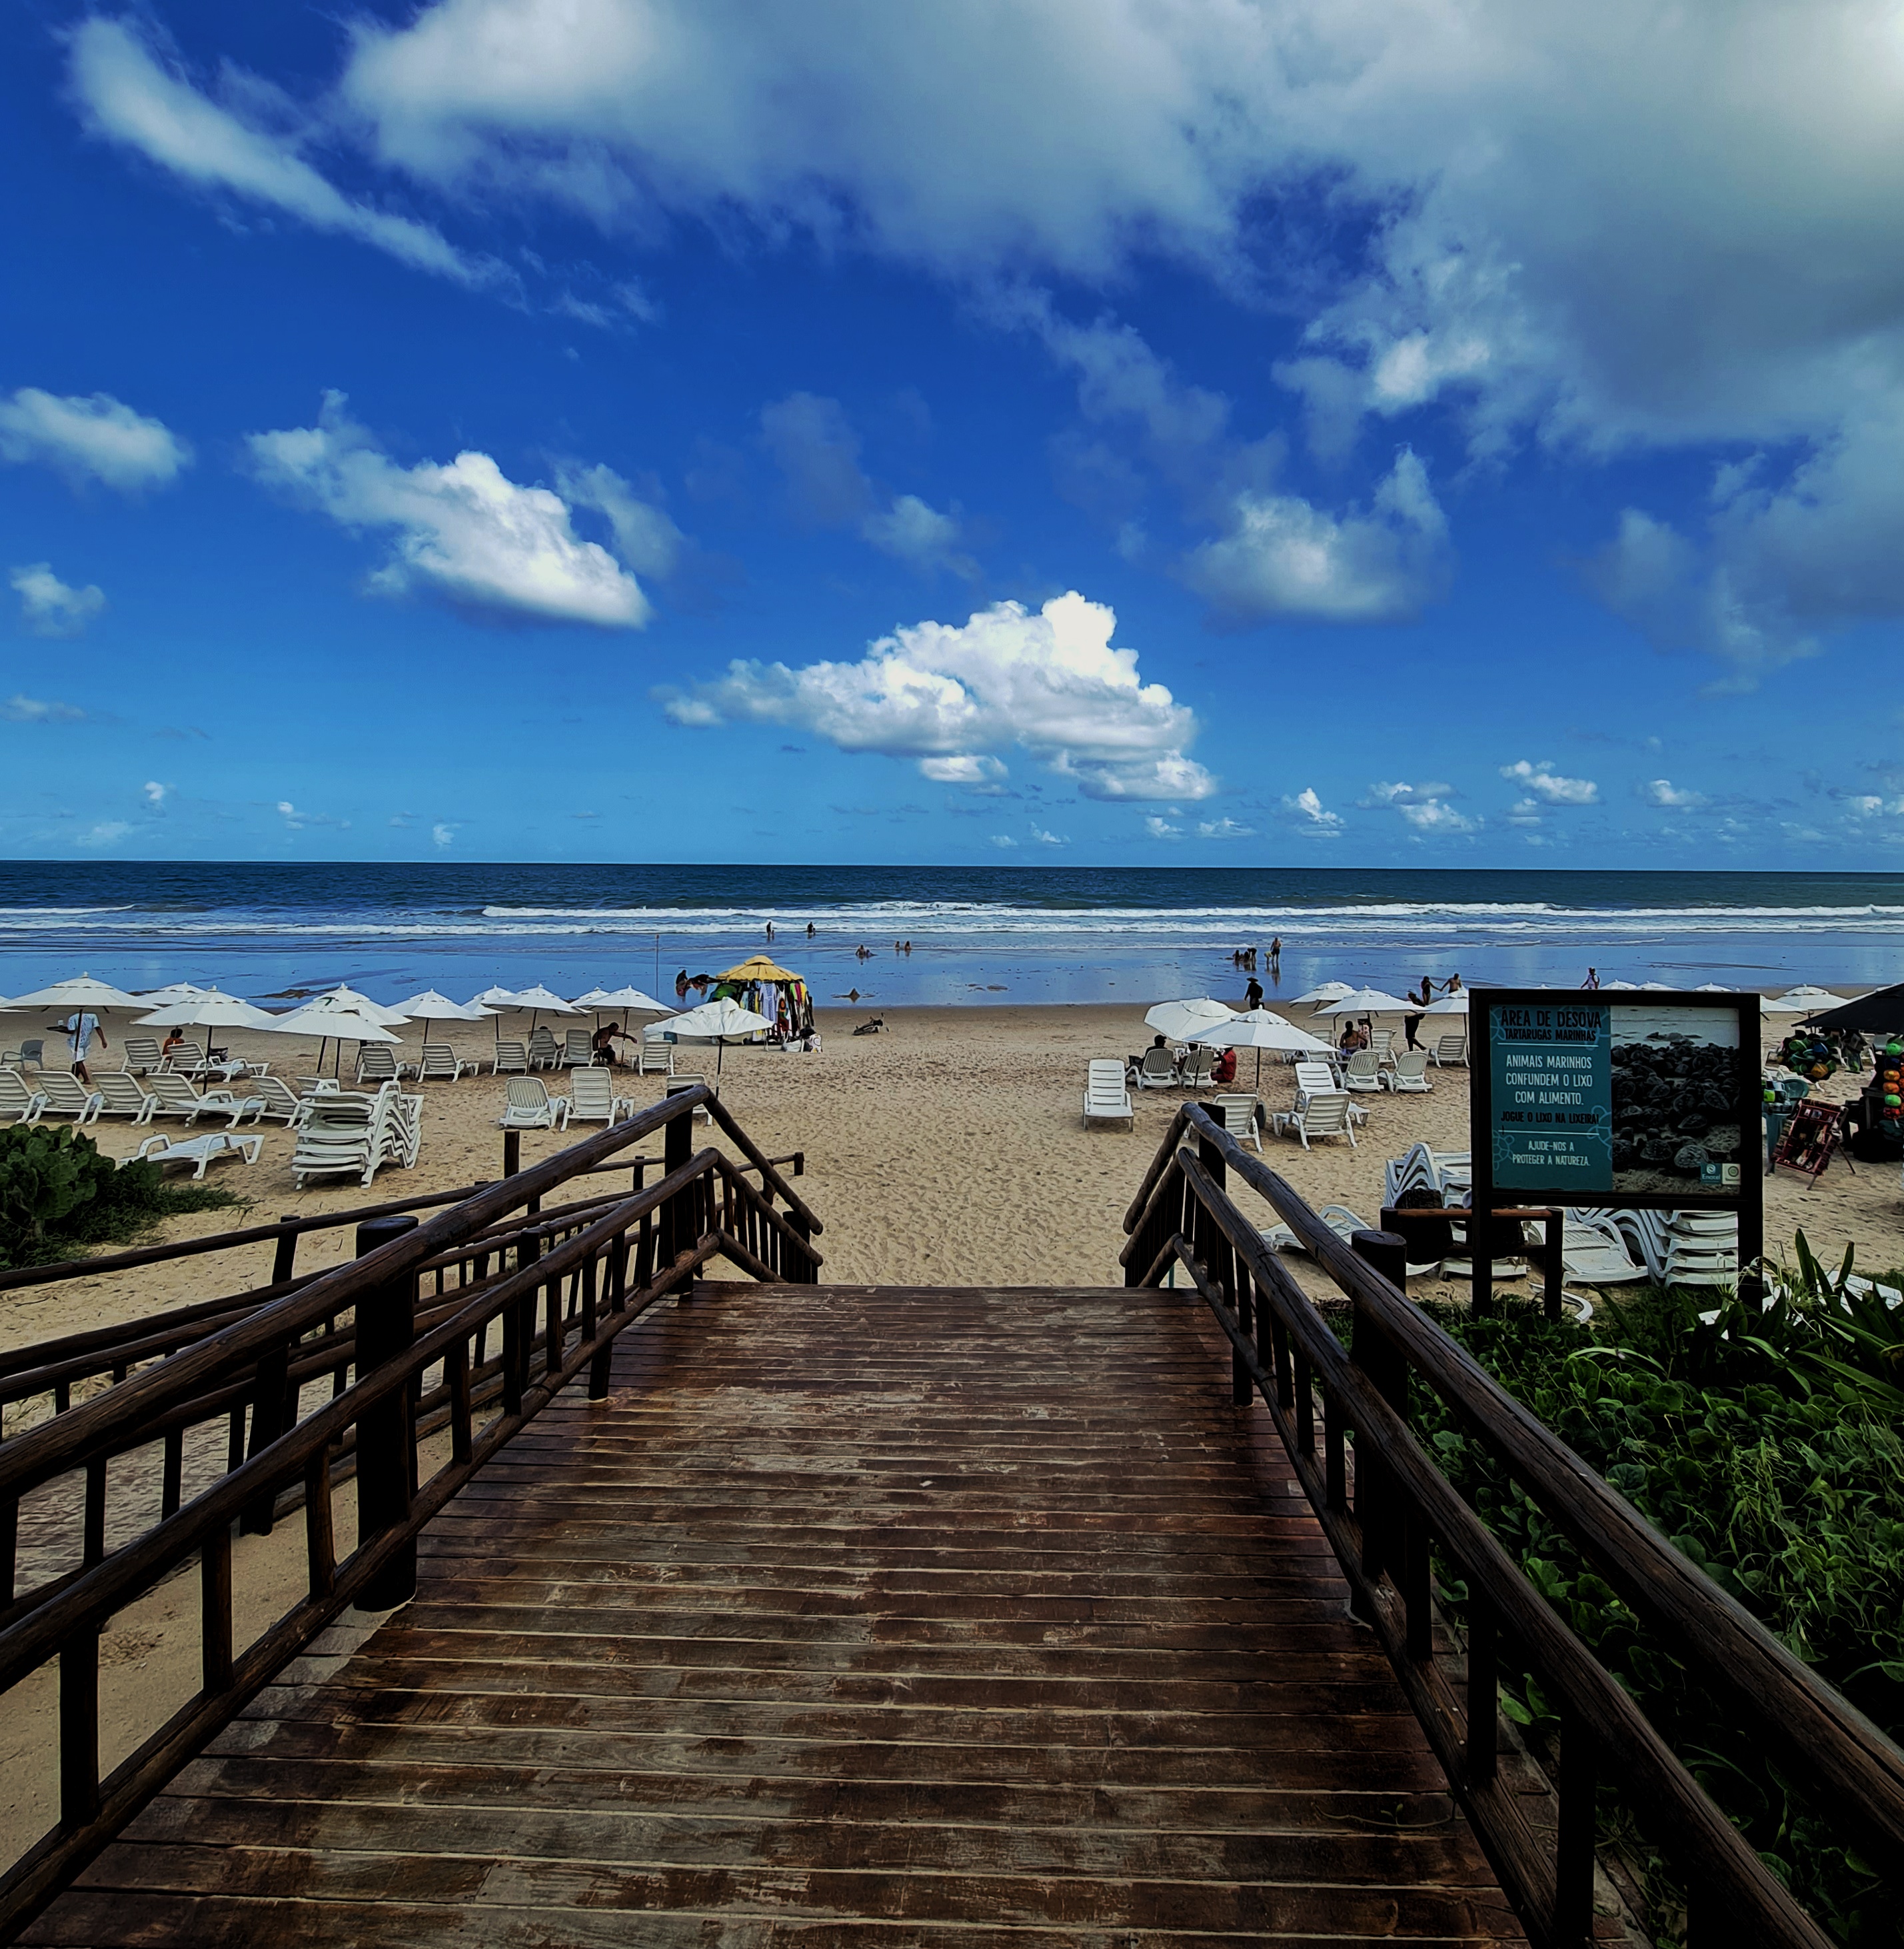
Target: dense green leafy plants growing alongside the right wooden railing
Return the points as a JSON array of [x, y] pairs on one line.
[[1767, 1447]]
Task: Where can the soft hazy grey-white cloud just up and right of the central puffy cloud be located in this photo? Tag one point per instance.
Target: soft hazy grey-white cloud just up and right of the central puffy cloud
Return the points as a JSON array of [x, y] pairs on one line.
[[1285, 556]]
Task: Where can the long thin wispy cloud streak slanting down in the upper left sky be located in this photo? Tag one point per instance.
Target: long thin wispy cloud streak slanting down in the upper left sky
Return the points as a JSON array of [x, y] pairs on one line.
[[132, 96]]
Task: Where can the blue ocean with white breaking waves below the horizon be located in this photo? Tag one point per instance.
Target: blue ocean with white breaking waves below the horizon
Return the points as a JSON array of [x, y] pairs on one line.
[[979, 935]]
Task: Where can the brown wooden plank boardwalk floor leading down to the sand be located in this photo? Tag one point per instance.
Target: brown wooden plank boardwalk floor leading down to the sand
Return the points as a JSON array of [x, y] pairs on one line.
[[855, 1617]]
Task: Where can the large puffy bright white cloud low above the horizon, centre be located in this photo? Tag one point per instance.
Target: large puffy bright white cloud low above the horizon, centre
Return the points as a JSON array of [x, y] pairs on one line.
[[950, 697]]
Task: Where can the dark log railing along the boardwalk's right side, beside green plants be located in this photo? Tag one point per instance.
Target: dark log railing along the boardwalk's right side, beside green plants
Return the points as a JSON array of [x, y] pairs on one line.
[[1385, 1508]]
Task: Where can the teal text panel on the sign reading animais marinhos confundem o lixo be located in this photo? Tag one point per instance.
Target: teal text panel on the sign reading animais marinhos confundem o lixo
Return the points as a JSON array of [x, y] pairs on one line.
[[1552, 1096]]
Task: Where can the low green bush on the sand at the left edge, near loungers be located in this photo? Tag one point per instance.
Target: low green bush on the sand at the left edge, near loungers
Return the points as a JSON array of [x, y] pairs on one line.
[[59, 1192]]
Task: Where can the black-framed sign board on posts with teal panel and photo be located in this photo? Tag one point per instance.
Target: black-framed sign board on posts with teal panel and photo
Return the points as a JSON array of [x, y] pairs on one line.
[[1642, 1102]]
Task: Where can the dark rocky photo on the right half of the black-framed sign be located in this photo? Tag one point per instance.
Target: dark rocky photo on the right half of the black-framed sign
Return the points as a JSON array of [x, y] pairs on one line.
[[1679, 1122]]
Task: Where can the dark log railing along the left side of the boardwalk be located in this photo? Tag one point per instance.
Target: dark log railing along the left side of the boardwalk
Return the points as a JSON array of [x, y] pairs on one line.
[[527, 1307]]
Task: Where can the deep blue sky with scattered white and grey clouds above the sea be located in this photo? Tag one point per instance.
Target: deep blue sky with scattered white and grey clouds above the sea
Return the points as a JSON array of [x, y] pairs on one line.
[[1092, 430]]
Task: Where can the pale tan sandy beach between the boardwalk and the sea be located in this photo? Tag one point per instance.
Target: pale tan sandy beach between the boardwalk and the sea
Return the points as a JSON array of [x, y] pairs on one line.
[[944, 1151]]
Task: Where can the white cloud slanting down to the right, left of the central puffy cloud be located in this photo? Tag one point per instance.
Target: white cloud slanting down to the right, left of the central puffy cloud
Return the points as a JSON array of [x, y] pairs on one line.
[[463, 531]]
